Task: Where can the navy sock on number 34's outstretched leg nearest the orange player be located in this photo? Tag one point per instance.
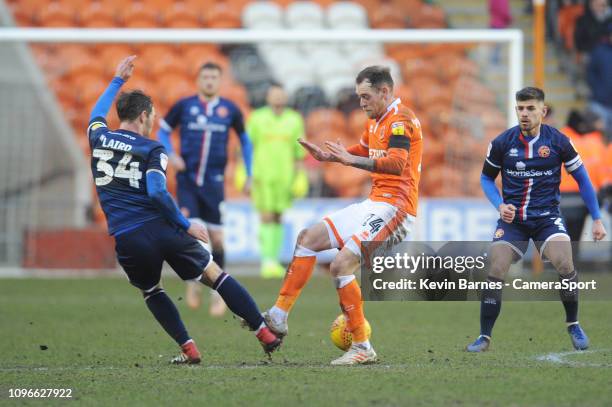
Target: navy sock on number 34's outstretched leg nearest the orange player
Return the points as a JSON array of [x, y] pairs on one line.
[[238, 300]]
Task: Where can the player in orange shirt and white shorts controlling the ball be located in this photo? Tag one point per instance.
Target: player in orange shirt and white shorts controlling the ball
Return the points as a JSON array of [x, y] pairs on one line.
[[390, 148]]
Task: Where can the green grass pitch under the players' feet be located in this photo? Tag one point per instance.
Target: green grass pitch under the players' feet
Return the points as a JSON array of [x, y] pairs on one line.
[[102, 343]]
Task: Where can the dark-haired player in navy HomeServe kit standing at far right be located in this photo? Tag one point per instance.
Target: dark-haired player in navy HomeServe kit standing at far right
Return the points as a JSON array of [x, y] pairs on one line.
[[530, 157]]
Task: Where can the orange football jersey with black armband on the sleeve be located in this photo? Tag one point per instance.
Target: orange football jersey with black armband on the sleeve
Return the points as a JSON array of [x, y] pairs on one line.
[[402, 190]]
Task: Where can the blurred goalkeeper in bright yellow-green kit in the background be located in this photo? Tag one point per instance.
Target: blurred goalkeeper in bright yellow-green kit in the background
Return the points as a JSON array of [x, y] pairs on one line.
[[278, 175]]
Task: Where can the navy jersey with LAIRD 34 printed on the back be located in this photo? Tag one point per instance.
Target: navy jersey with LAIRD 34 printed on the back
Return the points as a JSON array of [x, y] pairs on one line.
[[120, 160]]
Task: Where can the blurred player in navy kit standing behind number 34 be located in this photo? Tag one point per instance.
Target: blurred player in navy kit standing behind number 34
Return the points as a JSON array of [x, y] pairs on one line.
[[205, 120]]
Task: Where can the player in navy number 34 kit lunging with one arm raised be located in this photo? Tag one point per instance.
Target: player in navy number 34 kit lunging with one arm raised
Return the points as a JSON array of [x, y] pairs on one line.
[[129, 171]]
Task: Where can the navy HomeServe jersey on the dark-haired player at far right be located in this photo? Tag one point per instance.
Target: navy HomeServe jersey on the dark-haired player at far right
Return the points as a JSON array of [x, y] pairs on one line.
[[531, 169]]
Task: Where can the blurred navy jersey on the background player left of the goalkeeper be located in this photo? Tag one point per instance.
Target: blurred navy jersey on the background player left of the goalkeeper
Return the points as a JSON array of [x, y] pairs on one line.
[[204, 130]]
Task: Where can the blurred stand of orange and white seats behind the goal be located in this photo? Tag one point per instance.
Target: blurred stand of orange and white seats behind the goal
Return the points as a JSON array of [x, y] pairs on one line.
[[440, 82]]
